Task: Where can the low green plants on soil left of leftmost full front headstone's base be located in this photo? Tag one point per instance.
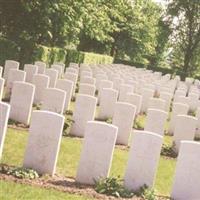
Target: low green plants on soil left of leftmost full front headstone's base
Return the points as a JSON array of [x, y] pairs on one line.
[[19, 172]]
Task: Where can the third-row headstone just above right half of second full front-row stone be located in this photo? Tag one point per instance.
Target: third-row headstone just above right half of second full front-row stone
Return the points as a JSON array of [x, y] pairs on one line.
[[107, 103]]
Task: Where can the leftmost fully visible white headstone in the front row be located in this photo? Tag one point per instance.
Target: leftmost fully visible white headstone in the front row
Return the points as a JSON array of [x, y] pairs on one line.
[[44, 140]]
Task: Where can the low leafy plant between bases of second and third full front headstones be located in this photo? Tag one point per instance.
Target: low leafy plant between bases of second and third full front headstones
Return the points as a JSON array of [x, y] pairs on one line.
[[113, 187]]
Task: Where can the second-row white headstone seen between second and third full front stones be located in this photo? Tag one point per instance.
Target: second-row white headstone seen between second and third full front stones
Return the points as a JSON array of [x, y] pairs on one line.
[[123, 118]]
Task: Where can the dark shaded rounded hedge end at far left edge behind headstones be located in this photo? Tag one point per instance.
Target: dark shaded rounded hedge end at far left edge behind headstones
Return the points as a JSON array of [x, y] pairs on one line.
[[9, 50]]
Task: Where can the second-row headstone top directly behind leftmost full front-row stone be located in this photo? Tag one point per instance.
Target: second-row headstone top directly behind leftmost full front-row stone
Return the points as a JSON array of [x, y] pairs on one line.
[[53, 100]]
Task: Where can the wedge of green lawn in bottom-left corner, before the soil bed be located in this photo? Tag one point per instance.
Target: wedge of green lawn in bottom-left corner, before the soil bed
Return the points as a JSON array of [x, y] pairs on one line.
[[13, 191]]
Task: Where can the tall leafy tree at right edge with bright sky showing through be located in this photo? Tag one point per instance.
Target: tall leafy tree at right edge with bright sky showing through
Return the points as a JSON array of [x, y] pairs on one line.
[[184, 16]]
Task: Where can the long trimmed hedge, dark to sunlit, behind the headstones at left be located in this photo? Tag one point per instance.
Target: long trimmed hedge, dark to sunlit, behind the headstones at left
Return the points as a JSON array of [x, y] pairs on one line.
[[49, 55]]
